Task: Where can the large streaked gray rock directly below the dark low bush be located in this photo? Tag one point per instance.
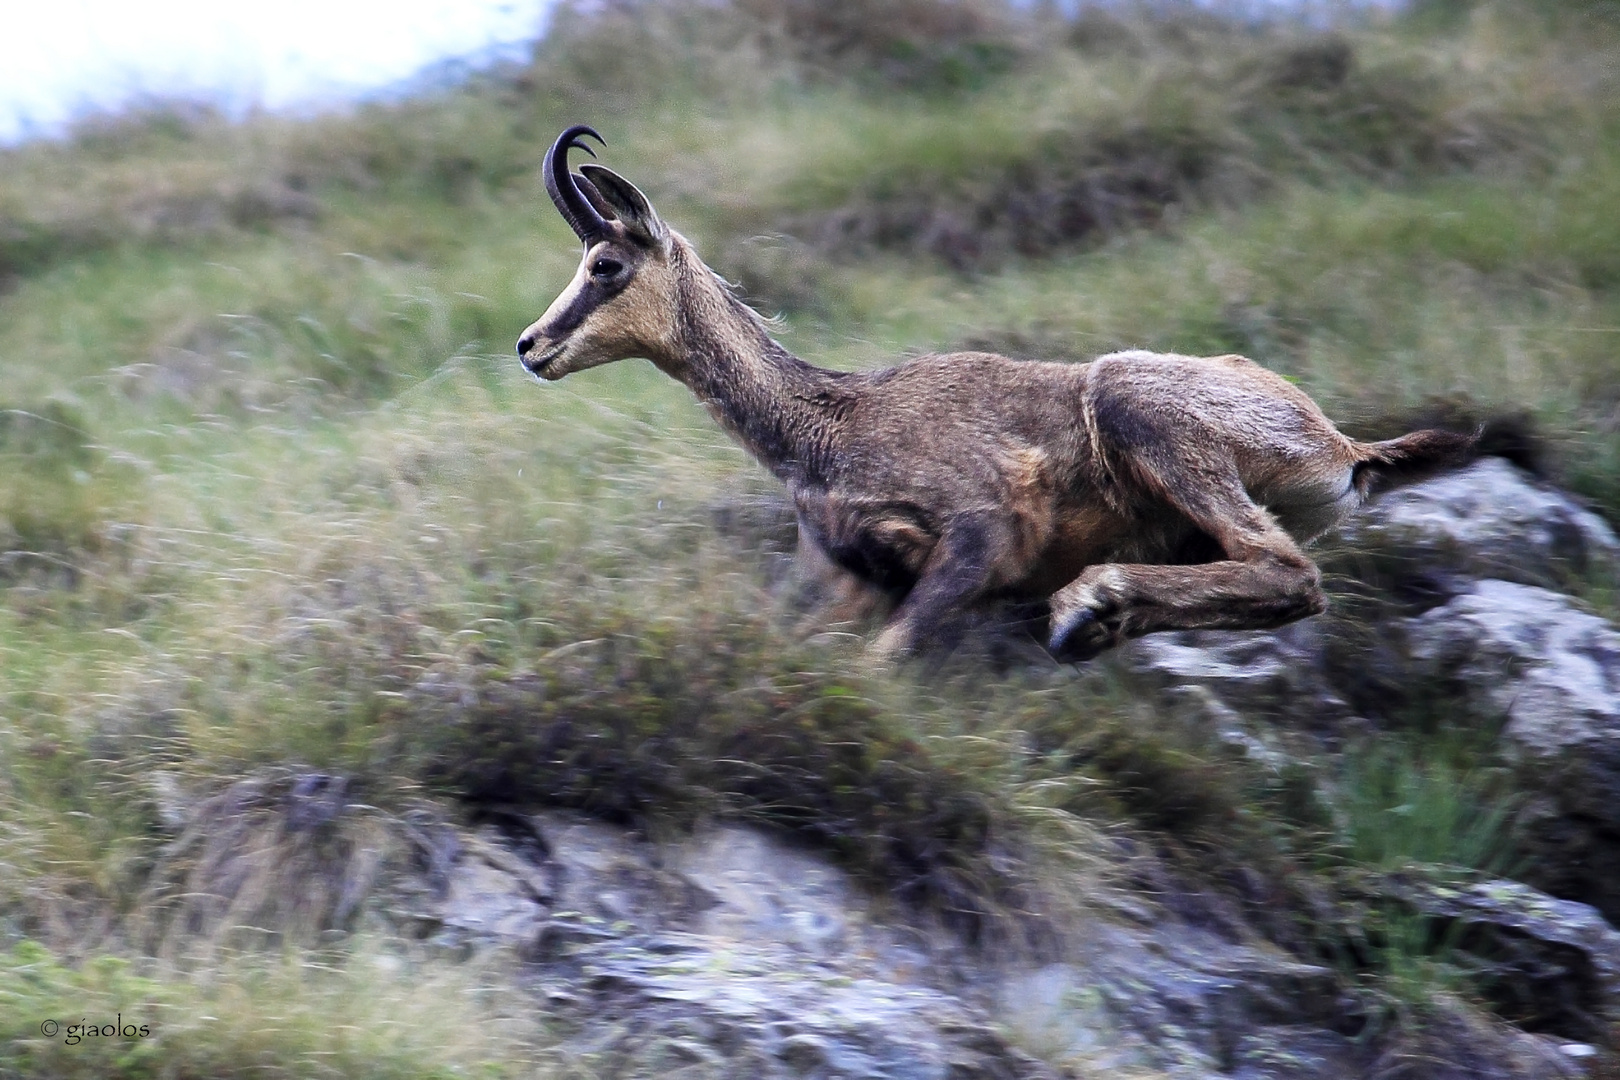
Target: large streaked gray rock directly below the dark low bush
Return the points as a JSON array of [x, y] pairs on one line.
[[733, 955]]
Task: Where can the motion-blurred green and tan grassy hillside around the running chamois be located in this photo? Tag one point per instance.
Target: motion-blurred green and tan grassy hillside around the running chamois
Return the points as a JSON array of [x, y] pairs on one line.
[[271, 478]]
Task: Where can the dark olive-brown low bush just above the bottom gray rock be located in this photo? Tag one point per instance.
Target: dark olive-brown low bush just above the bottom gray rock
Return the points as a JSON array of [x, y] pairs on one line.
[[660, 728]]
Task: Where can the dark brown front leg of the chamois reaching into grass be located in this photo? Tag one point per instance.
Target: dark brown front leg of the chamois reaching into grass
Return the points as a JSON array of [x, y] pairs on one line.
[[961, 568]]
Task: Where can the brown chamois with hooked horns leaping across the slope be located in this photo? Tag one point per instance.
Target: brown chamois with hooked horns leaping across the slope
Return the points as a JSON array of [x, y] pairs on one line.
[[1136, 493]]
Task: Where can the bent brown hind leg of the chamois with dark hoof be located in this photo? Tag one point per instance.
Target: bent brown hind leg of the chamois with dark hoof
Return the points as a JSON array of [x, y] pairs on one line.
[[1264, 582]]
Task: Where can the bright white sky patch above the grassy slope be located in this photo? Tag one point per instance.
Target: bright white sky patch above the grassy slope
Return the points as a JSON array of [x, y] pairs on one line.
[[61, 59]]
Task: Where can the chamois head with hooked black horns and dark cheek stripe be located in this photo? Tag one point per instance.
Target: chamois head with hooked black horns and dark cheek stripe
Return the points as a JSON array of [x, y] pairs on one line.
[[623, 299]]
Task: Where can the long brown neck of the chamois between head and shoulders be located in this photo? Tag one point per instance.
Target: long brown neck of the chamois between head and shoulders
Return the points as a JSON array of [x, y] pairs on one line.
[[783, 410]]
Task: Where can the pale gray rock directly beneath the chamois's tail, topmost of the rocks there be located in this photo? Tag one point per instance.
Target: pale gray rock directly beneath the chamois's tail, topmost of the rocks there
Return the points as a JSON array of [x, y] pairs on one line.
[[1490, 521]]
